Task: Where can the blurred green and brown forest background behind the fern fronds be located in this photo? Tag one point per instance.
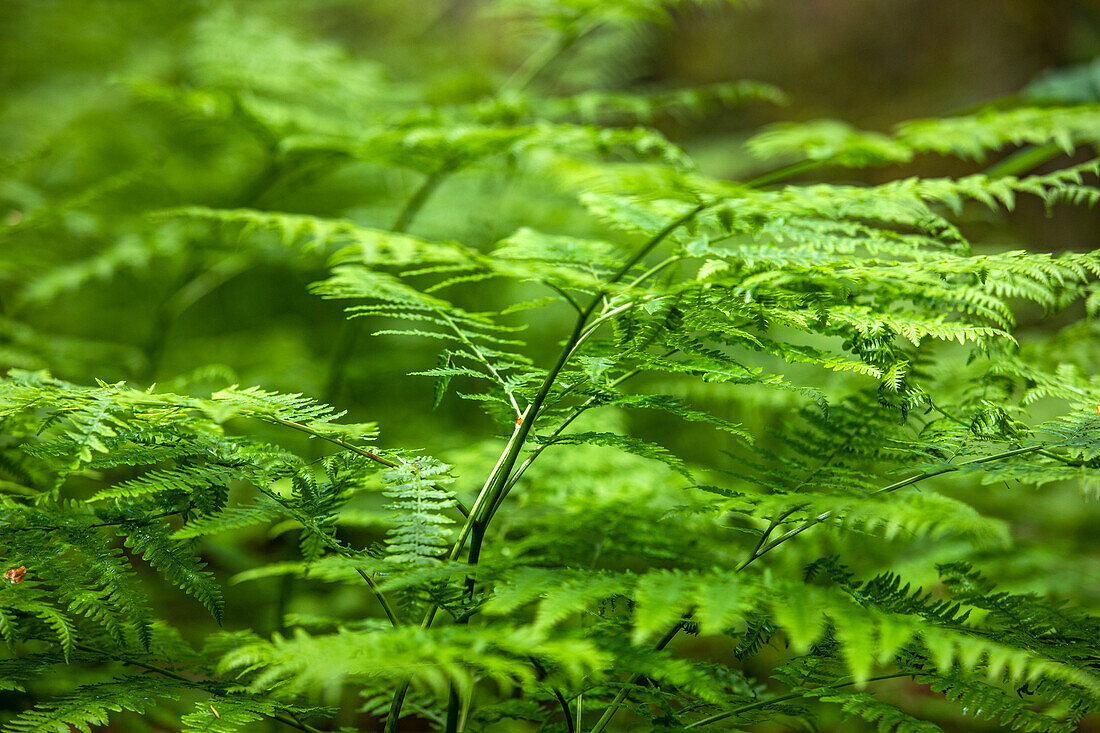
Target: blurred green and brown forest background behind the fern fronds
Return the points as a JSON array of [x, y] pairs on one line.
[[112, 110]]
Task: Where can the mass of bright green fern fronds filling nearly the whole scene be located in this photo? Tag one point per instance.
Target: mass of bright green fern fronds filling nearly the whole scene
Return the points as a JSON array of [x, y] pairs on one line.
[[786, 418]]
